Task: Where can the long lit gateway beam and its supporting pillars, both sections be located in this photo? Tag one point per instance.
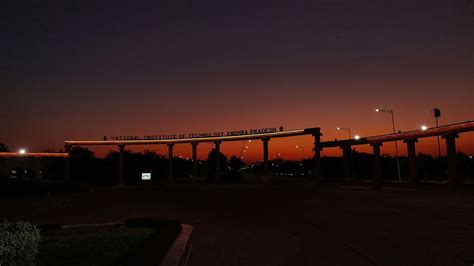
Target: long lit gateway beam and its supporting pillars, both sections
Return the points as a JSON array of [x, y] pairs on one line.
[[449, 134]]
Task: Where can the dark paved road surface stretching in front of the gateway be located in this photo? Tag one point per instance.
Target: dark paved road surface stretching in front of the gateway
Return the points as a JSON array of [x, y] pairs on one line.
[[290, 223]]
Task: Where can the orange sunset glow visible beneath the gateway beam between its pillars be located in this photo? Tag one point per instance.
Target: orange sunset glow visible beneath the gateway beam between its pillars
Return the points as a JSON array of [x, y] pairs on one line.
[[285, 148]]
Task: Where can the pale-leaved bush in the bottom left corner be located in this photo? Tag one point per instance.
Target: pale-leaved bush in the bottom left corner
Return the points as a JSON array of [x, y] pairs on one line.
[[18, 243]]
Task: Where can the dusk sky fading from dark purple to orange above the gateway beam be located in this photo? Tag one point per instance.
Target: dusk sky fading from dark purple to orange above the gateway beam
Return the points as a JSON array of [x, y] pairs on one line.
[[84, 69]]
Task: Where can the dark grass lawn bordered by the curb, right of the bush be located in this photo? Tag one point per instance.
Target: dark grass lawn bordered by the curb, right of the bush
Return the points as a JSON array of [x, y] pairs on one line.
[[91, 246]]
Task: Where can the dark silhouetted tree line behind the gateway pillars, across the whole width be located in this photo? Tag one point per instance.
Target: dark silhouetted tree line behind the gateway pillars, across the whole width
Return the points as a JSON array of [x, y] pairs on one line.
[[86, 168]]
